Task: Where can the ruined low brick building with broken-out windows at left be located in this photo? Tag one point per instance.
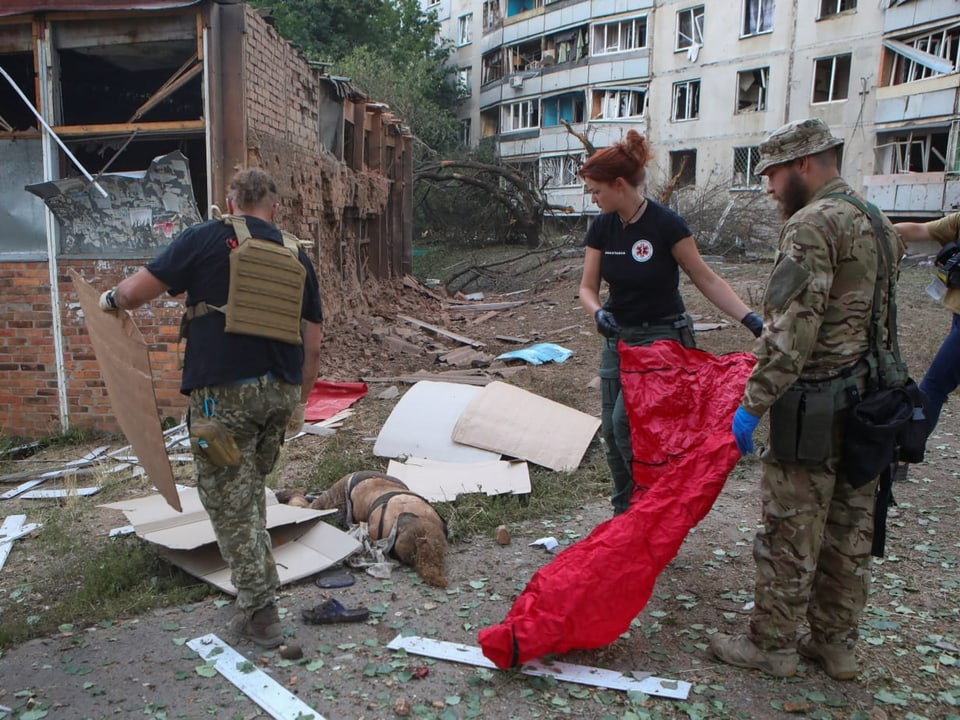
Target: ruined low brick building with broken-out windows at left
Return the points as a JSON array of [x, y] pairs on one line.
[[121, 123]]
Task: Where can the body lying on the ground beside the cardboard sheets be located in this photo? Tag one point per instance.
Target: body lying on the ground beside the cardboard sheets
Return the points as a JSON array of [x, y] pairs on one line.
[[417, 535]]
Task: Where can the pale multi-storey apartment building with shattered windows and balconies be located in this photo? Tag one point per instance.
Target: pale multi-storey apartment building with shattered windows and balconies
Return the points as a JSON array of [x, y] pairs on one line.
[[707, 81]]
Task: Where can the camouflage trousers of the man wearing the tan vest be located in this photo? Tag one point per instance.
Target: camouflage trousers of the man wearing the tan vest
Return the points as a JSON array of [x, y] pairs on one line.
[[255, 413]]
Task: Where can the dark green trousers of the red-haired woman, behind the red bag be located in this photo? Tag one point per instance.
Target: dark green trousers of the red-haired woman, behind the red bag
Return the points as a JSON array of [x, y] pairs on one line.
[[614, 423]]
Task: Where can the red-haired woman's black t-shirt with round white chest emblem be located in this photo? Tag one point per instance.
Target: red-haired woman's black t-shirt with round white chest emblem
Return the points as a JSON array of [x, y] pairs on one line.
[[638, 264]]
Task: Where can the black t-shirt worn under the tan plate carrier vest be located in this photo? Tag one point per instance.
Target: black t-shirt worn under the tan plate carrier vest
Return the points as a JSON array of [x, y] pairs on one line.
[[198, 262]]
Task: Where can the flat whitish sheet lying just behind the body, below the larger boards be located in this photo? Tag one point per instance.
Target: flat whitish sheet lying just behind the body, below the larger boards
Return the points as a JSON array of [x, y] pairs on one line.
[[443, 481]]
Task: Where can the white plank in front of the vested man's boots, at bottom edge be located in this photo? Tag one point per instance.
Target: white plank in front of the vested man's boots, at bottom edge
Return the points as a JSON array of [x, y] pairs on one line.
[[276, 700]]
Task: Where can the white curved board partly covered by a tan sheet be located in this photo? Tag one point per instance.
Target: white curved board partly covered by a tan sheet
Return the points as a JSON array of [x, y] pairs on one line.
[[422, 421]]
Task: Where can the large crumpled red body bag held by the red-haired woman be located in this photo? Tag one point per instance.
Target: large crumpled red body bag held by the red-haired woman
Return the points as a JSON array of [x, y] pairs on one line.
[[681, 403]]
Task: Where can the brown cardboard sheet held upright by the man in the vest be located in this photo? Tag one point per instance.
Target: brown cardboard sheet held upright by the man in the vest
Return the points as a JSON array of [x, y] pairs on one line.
[[124, 361]]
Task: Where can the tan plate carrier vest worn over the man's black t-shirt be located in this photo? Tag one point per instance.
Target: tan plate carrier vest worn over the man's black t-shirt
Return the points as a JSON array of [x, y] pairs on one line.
[[265, 298]]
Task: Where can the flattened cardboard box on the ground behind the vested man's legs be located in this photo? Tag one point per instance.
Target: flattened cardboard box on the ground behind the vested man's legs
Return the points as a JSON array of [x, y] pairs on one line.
[[302, 546]]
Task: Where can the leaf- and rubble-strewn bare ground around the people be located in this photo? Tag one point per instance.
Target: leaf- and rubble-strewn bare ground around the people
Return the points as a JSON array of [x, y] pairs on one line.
[[910, 651]]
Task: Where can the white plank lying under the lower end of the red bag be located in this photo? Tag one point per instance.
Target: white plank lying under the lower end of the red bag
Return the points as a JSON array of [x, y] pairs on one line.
[[567, 672]]
